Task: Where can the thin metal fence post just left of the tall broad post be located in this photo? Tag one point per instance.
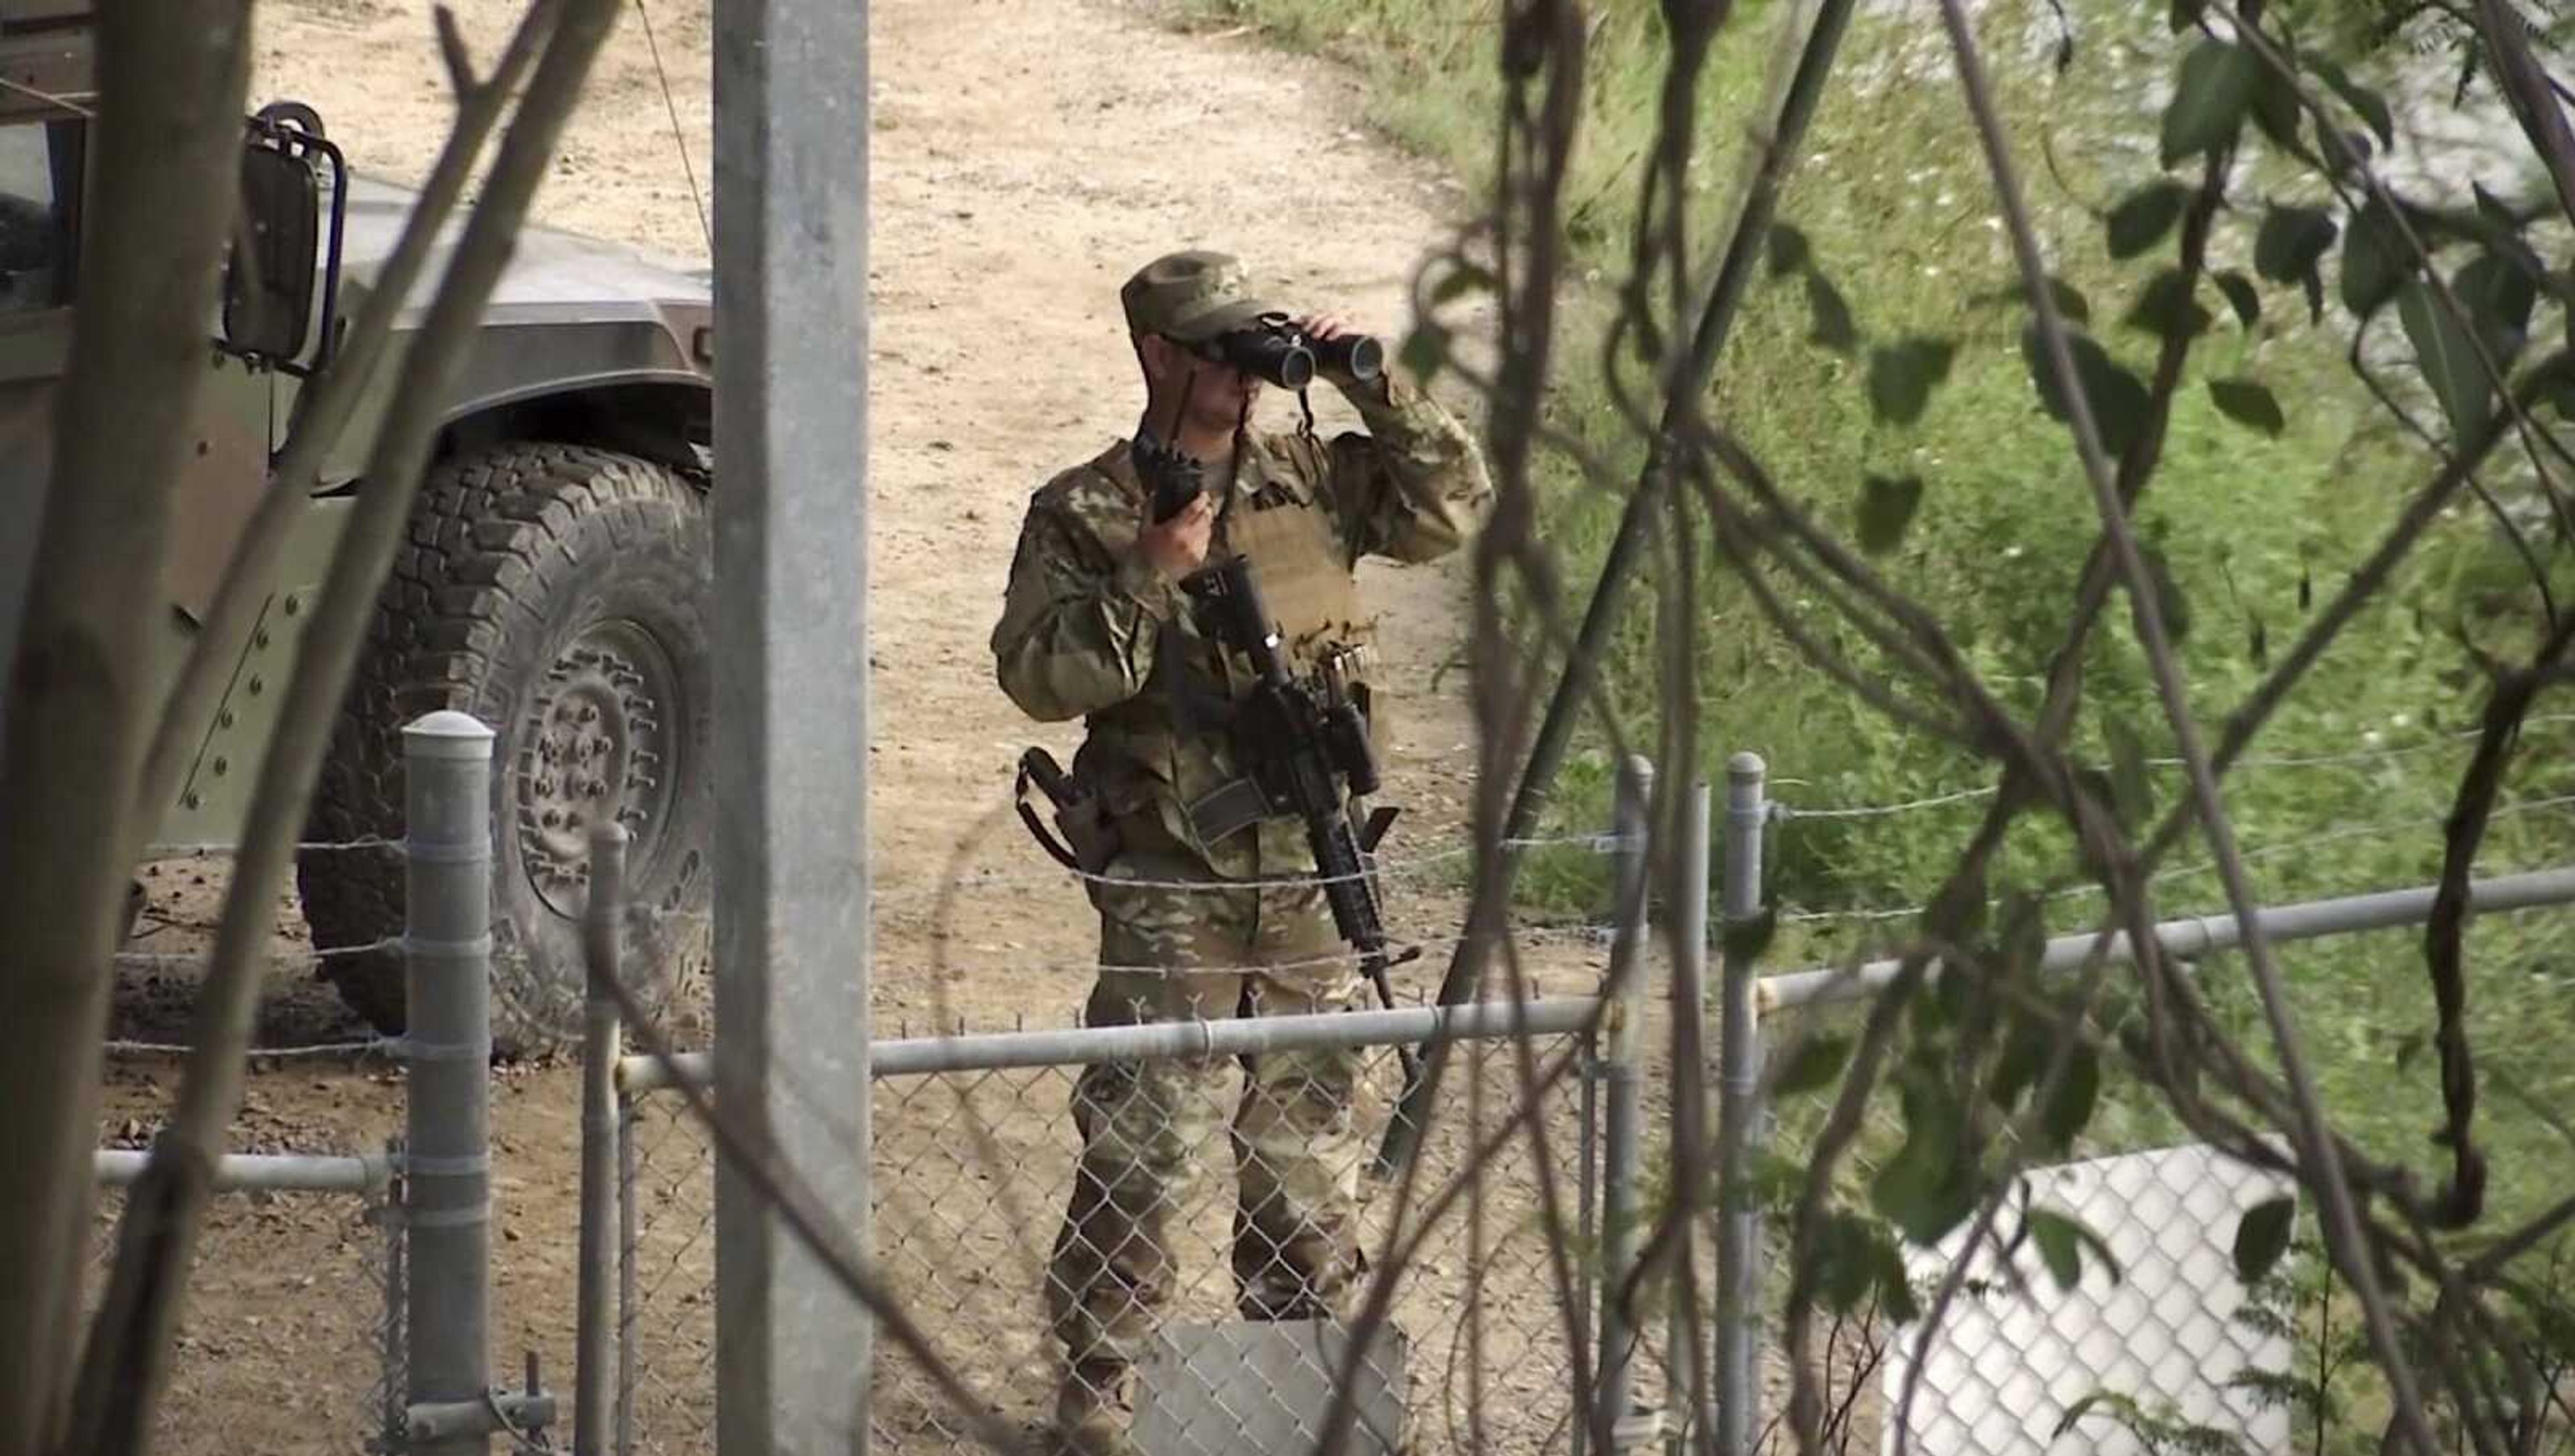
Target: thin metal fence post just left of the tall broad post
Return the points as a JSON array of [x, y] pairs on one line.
[[594, 1390]]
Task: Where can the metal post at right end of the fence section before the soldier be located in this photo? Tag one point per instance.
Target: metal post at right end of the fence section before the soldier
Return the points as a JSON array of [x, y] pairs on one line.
[[1624, 1113]]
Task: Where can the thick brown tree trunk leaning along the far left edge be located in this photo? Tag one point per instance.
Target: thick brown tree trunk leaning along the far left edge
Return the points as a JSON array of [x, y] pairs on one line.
[[171, 84]]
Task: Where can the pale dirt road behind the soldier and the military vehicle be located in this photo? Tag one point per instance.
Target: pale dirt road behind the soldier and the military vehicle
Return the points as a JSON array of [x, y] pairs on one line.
[[1026, 156]]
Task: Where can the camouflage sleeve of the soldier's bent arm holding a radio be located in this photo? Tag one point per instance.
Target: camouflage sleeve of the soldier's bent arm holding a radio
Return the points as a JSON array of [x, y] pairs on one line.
[[1085, 608]]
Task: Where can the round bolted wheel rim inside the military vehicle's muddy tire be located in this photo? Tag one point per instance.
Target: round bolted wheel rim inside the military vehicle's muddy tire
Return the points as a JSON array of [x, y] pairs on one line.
[[604, 732]]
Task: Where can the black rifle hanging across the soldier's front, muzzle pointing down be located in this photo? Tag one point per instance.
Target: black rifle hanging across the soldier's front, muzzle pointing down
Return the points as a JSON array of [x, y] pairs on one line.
[[1297, 742]]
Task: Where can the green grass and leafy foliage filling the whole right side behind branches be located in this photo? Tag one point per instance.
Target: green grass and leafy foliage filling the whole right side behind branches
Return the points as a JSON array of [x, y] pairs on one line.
[[1878, 377]]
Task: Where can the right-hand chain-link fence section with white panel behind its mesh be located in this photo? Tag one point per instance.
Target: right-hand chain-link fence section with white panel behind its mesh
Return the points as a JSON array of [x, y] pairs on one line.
[[2108, 1306]]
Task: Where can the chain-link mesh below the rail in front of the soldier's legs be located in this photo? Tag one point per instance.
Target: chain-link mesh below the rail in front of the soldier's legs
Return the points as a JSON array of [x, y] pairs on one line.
[[1201, 1241]]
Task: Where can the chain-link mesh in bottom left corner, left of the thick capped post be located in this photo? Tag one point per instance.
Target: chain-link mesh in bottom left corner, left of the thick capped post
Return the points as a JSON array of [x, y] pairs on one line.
[[292, 1357]]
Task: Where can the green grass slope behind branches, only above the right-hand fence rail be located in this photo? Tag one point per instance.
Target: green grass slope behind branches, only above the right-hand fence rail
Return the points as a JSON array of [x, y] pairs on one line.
[[2257, 523]]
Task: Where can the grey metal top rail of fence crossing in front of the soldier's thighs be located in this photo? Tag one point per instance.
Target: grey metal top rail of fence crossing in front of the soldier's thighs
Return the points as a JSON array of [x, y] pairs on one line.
[[1163, 1041]]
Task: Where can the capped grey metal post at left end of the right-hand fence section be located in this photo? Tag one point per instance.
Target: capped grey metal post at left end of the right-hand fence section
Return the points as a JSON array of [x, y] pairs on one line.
[[1739, 1223]]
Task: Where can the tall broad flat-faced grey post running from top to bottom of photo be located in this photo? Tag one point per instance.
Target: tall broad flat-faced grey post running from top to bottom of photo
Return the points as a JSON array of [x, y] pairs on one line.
[[792, 709]]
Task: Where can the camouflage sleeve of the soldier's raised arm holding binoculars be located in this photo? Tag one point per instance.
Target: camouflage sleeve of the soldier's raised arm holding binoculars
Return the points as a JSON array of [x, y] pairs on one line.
[[1412, 485]]
